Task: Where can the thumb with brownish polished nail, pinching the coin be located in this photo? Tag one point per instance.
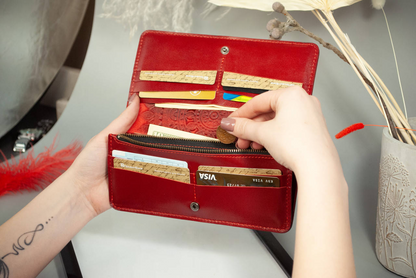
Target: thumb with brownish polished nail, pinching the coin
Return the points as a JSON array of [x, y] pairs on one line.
[[242, 128]]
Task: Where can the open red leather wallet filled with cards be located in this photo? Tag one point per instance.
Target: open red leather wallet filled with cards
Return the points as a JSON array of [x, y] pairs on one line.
[[187, 83]]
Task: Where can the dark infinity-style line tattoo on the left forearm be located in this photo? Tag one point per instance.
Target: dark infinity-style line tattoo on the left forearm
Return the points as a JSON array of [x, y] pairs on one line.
[[23, 241]]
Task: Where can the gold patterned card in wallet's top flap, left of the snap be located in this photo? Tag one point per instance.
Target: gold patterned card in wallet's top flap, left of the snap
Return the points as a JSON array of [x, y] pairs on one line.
[[181, 76]]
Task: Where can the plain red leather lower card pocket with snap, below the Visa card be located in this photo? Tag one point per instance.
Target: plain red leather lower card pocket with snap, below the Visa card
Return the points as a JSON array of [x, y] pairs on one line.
[[138, 192]]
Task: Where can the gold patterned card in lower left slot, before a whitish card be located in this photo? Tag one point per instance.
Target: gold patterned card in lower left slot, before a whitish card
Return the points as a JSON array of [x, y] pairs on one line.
[[163, 171]]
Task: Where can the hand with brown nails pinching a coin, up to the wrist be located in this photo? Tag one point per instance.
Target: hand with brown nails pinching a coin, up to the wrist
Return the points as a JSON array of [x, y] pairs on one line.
[[289, 123]]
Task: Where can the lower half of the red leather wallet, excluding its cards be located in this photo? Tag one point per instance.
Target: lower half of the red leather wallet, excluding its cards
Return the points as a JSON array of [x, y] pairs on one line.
[[263, 208]]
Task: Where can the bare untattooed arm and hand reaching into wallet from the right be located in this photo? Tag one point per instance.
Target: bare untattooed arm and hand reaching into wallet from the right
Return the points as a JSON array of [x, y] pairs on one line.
[[290, 125]]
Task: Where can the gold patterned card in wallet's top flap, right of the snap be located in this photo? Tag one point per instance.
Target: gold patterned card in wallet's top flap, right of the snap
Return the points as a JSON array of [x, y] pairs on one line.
[[231, 79]]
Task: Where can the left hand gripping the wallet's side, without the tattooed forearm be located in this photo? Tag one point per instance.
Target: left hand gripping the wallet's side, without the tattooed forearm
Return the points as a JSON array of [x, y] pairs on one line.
[[89, 170]]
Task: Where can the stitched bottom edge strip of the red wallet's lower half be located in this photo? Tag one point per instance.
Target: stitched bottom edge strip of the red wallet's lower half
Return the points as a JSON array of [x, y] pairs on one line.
[[251, 226]]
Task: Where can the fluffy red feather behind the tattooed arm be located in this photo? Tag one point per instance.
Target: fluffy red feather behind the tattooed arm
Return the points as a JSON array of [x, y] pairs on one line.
[[35, 173]]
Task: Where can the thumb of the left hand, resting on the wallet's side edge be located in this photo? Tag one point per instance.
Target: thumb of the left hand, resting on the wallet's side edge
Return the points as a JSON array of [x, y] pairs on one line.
[[123, 122]]
